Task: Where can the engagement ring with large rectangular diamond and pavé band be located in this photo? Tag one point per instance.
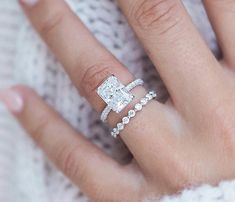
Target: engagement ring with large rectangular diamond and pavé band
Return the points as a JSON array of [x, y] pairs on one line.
[[116, 95]]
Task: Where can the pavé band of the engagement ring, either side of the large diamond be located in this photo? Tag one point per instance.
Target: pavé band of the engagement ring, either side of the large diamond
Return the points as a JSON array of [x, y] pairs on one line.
[[129, 87]]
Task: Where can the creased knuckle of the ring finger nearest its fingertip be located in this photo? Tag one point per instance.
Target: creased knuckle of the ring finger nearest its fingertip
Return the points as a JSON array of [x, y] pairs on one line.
[[51, 23]]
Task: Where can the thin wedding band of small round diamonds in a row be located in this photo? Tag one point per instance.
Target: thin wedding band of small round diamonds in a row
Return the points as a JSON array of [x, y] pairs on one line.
[[132, 113]]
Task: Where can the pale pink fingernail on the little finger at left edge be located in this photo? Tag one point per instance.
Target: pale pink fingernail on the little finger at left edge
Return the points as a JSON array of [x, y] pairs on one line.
[[12, 100]]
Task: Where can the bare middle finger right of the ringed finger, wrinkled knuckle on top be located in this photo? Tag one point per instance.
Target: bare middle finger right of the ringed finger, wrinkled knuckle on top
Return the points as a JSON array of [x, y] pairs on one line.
[[183, 60]]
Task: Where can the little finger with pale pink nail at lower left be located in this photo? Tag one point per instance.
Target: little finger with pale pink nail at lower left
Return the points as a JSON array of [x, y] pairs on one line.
[[98, 175]]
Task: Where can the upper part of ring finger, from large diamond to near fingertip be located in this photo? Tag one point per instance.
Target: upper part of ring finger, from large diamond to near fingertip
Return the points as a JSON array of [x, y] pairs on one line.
[[87, 62]]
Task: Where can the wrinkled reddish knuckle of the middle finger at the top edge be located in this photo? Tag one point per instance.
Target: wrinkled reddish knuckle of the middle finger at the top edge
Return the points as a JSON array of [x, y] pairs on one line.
[[161, 15]]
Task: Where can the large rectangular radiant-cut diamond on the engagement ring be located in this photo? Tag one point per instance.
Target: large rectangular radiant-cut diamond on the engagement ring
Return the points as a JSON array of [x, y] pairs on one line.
[[114, 94]]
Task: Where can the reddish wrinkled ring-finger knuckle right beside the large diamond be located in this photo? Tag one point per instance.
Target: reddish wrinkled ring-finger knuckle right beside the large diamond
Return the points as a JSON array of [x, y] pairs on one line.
[[93, 77]]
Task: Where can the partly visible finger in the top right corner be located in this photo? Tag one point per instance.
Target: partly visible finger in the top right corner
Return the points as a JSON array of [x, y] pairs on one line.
[[222, 15]]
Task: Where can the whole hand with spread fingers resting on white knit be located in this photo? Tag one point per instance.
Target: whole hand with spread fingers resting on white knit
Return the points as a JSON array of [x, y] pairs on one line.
[[186, 142]]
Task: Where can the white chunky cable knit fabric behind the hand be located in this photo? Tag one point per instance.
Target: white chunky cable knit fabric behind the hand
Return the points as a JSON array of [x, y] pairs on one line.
[[25, 173]]
